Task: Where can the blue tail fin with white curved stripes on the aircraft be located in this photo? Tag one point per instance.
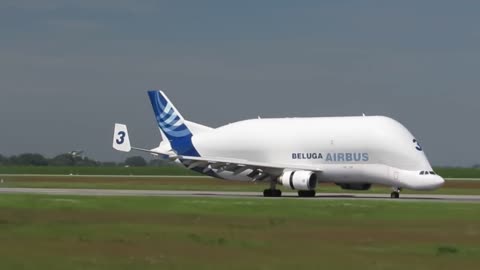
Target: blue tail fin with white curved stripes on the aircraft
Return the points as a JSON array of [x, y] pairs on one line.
[[172, 124]]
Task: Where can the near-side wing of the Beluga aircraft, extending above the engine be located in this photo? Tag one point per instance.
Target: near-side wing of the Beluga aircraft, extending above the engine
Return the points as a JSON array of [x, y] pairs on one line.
[[259, 170]]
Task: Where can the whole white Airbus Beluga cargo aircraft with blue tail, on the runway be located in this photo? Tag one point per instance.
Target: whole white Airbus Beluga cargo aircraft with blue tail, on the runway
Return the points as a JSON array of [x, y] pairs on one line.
[[298, 153]]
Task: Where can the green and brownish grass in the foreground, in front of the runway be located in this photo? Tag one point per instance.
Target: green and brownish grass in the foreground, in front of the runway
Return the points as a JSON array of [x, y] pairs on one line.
[[68, 232]]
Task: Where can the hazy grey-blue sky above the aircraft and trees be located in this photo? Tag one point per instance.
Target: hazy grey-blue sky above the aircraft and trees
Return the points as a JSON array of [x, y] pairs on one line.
[[70, 69]]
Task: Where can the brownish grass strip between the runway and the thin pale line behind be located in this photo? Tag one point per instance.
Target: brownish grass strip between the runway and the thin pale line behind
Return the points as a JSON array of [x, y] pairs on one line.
[[192, 183]]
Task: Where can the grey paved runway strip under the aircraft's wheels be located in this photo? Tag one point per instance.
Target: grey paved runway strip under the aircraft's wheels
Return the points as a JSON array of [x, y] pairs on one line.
[[239, 195]]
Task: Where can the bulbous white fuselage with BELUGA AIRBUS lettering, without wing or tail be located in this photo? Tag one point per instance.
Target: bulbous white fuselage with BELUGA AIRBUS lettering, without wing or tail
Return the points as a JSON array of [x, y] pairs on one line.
[[365, 149]]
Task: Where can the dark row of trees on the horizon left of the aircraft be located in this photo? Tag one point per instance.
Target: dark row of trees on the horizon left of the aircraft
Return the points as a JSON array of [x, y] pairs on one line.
[[67, 159]]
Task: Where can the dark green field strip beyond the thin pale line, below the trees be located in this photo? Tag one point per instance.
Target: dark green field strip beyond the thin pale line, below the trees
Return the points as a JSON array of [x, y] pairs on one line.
[[174, 170]]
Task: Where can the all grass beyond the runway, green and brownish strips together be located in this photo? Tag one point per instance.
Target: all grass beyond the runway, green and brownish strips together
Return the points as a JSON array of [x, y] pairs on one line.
[[135, 179]]
